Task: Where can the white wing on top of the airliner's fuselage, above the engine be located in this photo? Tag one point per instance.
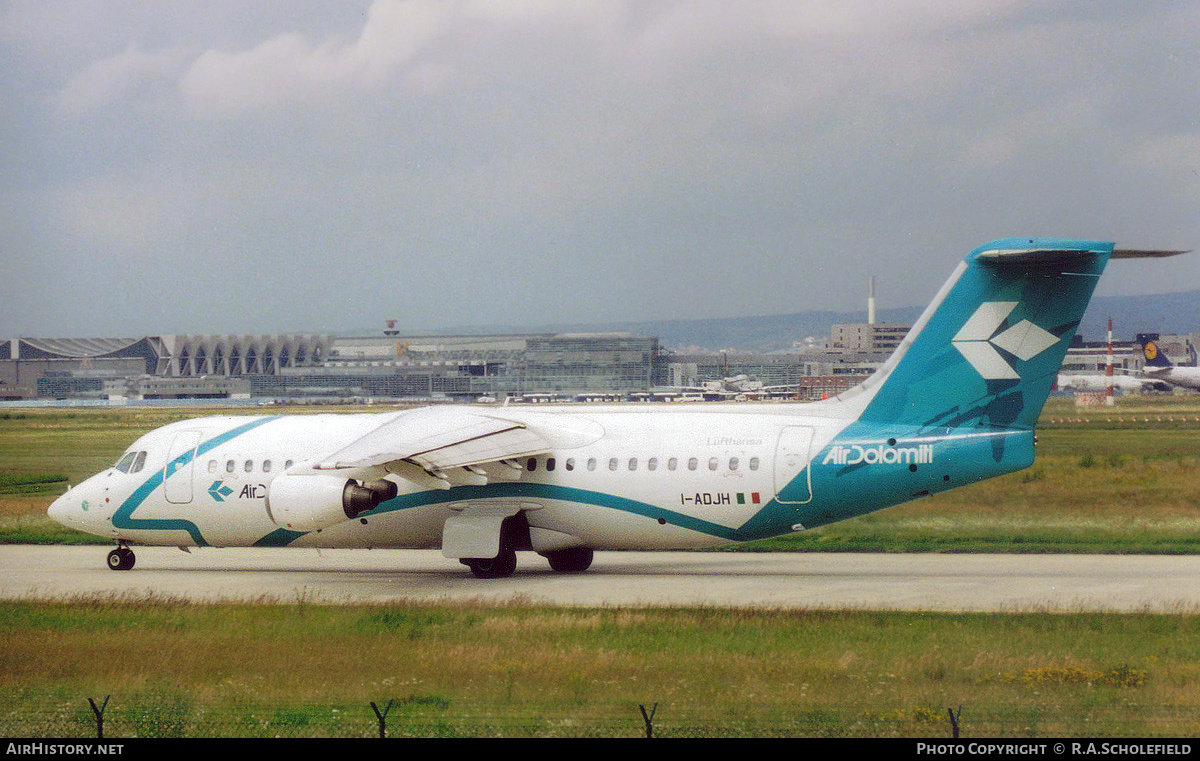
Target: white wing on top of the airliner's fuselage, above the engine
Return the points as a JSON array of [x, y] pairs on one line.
[[441, 447]]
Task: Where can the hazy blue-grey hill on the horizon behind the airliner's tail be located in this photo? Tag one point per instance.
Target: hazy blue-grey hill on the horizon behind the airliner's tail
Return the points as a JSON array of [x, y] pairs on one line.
[[1167, 314]]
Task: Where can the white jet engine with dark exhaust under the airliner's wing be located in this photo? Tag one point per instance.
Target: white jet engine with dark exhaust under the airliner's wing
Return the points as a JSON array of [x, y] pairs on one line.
[[309, 504]]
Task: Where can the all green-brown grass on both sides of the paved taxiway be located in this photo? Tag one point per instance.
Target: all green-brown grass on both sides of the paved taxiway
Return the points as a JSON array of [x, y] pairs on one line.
[[1118, 480]]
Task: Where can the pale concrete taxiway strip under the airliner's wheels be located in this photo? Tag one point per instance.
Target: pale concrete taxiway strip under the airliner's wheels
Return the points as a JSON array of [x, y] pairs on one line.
[[861, 582]]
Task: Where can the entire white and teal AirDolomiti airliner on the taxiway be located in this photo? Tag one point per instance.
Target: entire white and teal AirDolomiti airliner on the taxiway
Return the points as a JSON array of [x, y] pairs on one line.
[[955, 405]]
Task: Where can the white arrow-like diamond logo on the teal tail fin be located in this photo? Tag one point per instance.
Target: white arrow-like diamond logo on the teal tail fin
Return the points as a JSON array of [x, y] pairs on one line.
[[981, 337]]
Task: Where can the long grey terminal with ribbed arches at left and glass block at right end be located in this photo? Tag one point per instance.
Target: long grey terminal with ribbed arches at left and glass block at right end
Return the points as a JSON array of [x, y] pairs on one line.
[[335, 368]]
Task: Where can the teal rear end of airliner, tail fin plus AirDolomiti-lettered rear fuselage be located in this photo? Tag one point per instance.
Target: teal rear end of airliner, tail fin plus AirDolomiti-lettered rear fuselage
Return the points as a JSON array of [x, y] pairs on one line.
[[958, 400]]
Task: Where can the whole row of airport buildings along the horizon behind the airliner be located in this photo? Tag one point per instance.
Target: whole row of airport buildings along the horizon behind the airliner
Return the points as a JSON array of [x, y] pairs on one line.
[[544, 367]]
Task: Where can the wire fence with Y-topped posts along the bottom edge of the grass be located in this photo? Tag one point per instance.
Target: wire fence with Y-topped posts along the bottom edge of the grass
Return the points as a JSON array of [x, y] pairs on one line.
[[111, 717]]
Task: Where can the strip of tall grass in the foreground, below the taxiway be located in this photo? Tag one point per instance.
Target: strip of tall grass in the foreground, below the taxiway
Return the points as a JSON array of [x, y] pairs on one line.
[[177, 669]]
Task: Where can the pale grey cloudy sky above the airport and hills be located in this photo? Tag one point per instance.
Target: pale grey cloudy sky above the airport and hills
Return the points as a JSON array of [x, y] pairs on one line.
[[259, 166]]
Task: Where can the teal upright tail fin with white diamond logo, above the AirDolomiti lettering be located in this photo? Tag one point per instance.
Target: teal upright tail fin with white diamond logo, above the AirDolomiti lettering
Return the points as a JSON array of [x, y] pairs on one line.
[[987, 351]]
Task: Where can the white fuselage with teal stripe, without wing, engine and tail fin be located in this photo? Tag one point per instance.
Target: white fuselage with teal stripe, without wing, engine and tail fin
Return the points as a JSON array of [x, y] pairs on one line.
[[617, 478]]
